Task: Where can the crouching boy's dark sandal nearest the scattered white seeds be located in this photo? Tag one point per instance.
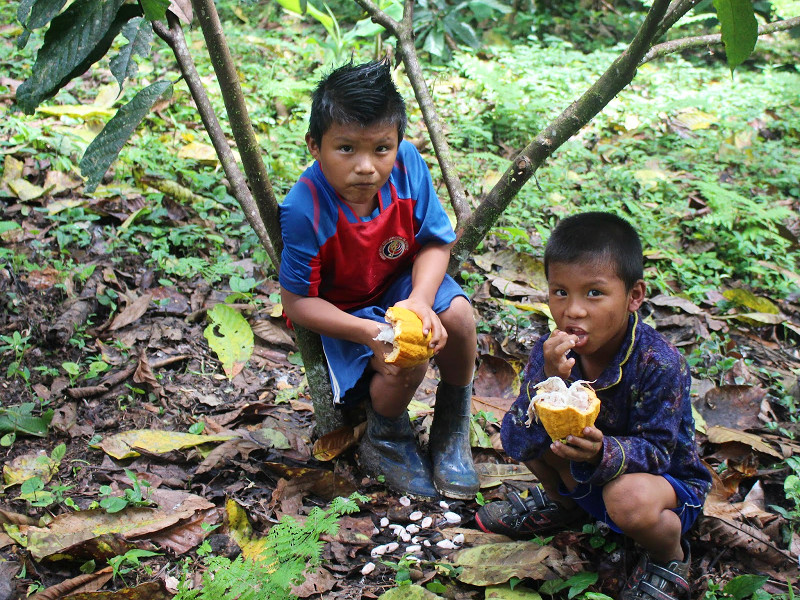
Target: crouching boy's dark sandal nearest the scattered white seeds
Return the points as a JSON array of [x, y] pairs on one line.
[[524, 518]]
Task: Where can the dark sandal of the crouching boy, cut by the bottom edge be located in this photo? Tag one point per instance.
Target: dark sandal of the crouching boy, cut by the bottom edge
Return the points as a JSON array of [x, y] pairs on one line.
[[651, 581]]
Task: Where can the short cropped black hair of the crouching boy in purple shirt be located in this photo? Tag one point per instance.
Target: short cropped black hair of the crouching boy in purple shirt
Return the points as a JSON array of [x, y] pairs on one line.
[[597, 237]]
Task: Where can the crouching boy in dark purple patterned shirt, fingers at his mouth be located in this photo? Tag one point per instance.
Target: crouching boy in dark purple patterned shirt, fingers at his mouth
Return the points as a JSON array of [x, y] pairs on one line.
[[637, 469]]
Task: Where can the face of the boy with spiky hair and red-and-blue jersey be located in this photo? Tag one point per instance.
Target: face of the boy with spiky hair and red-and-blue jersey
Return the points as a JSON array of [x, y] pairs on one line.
[[357, 161]]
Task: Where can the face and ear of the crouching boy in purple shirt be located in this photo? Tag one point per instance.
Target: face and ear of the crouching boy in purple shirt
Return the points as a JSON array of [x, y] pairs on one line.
[[588, 300]]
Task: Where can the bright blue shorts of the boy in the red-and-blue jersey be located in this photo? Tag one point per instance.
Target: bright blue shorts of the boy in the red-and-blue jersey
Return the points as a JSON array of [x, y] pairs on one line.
[[347, 361]]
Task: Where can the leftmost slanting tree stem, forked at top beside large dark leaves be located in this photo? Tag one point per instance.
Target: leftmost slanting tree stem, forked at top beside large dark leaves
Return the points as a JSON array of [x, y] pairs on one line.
[[175, 39]]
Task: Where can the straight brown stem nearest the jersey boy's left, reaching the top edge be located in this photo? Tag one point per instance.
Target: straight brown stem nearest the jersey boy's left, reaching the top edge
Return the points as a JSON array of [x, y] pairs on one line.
[[242, 128]]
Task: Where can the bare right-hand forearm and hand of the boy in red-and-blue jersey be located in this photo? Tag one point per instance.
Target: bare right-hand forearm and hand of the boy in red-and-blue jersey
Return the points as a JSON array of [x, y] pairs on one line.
[[430, 266]]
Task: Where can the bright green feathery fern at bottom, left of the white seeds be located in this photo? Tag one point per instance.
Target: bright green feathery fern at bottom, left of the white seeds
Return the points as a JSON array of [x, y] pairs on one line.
[[291, 548]]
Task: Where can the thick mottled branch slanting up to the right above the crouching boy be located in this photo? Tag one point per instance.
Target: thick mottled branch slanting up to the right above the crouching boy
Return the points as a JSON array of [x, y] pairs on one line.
[[567, 124]]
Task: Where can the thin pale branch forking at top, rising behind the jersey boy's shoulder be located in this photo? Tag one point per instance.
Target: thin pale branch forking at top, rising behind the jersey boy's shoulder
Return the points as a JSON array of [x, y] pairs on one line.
[[404, 33]]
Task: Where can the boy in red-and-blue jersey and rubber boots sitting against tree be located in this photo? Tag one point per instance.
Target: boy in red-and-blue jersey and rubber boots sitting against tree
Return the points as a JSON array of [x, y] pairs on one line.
[[363, 229]]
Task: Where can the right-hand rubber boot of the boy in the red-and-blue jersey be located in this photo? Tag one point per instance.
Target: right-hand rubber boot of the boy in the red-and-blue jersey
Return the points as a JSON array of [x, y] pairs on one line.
[[454, 473]]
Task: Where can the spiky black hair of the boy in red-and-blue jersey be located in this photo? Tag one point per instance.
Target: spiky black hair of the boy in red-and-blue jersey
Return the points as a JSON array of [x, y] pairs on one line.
[[363, 94]]
